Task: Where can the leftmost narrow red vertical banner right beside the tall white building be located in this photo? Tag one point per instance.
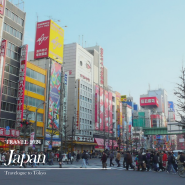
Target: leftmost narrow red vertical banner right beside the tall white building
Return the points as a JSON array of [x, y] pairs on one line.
[[97, 105]]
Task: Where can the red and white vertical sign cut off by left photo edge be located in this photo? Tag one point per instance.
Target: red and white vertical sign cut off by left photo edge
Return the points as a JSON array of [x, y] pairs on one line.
[[2, 64]]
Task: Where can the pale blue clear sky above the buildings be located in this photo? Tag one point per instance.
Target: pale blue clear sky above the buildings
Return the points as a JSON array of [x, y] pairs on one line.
[[143, 40]]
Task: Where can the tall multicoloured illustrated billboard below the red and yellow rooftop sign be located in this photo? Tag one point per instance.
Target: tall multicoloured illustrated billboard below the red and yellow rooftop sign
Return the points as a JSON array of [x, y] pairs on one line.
[[54, 96]]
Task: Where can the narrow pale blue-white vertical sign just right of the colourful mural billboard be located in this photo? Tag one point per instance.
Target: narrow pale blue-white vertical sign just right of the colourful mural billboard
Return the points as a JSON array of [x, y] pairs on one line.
[[66, 76]]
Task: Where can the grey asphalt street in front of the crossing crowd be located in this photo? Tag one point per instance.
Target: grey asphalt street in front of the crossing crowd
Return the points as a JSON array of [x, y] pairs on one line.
[[93, 175]]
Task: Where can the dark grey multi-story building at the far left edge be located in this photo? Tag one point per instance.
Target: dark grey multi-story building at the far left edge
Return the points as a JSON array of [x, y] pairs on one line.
[[12, 24]]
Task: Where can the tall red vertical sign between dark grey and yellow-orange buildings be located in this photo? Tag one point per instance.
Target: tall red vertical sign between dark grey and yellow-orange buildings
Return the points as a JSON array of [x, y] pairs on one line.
[[21, 86]]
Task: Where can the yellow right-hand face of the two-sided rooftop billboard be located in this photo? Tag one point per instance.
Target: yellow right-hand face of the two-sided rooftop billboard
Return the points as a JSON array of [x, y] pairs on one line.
[[56, 42]]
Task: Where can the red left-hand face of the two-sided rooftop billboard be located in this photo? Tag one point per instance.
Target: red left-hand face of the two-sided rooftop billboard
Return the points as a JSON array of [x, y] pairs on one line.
[[42, 40]]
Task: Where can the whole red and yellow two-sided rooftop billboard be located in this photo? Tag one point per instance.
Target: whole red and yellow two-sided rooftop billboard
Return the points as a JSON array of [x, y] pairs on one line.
[[49, 41]]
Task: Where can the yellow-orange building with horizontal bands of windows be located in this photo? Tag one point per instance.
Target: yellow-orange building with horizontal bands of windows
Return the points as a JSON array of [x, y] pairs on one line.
[[35, 96]]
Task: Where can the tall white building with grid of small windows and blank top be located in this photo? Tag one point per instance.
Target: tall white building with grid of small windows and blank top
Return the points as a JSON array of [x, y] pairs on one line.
[[79, 62]]
